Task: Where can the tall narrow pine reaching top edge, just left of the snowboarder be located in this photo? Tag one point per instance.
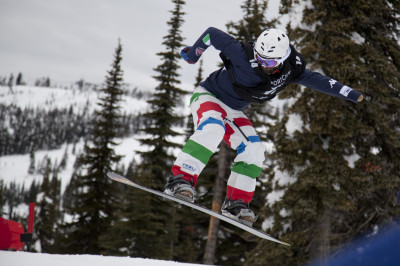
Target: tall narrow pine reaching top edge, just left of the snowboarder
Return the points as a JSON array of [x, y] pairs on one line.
[[147, 226]]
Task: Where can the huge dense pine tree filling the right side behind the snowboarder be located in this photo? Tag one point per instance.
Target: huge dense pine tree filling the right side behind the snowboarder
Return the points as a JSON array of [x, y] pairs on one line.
[[344, 160]]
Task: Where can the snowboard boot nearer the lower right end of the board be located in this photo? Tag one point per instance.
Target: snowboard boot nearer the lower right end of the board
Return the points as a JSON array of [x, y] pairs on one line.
[[239, 211]]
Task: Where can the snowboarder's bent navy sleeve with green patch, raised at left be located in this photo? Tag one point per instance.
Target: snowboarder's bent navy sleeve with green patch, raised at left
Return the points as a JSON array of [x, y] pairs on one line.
[[212, 36]]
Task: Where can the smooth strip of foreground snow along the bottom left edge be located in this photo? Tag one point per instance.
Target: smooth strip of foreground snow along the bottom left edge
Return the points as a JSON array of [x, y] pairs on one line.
[[10, 258]]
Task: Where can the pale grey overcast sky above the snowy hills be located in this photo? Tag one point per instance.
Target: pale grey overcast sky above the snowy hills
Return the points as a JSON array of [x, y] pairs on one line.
[[68, 40]]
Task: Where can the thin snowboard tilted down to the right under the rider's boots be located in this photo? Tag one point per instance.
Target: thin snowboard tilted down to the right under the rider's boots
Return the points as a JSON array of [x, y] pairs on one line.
[[124, 180]]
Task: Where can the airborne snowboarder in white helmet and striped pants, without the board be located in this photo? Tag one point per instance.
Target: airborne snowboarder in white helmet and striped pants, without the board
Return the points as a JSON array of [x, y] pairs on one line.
[[252, 72]]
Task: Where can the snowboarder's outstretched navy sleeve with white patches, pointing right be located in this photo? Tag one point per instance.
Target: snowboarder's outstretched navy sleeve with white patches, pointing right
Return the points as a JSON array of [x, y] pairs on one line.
[[327, 85]]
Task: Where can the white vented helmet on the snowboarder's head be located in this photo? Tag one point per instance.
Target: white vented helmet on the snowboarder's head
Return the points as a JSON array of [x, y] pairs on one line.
[[273, 44]]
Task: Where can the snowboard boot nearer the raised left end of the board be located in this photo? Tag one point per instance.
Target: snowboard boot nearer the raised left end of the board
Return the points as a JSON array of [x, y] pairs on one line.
[[178, 187]]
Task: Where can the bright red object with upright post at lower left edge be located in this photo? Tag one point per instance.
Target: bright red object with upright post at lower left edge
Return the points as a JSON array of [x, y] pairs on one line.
[[12, 233]]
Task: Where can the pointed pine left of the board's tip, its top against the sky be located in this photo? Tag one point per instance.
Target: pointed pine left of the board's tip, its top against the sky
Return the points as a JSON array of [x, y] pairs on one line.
[[95, 196]]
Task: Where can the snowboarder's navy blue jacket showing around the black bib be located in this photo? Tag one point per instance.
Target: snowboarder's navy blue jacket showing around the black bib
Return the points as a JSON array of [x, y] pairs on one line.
[[220, 84]]
